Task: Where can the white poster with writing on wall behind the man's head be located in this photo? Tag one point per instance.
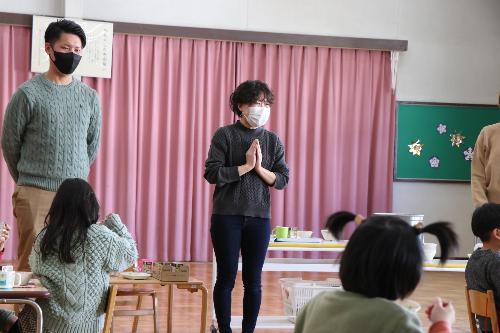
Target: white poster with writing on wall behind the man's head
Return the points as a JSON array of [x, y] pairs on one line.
[[96, 56]]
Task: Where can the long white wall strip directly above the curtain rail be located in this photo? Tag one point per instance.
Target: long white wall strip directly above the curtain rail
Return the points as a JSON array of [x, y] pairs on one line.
[[341, 18]]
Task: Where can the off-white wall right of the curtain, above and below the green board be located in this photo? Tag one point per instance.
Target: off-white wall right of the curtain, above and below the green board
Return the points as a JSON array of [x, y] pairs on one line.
[[453, 56]]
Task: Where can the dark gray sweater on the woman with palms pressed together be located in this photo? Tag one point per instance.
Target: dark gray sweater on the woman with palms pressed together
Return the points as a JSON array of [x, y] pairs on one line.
[[247, 195]]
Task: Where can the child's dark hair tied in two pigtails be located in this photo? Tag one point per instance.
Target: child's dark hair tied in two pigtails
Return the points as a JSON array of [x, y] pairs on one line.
[[383, 257]]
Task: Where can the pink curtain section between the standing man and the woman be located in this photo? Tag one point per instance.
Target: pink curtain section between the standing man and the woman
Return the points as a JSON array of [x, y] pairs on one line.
[[158, 119]]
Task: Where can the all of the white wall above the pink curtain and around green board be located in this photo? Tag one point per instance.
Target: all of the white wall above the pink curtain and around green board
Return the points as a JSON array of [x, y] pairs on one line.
[[453, 54]]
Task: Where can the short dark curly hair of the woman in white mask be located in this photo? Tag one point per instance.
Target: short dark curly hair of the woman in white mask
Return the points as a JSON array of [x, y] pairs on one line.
[[249, 92]]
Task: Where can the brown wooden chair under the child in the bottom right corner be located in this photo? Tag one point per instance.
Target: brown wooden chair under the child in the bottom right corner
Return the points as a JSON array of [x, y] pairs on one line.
[[482, 304]]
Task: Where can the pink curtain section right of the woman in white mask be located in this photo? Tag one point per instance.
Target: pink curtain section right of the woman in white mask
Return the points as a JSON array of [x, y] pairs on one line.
[[334, 112]]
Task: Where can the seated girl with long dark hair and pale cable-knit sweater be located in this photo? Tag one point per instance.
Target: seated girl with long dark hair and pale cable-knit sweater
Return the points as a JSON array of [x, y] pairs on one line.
[[73, 256]]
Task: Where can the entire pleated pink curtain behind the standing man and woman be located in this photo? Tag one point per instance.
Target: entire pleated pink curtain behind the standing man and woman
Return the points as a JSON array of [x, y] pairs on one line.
[[334, 112]]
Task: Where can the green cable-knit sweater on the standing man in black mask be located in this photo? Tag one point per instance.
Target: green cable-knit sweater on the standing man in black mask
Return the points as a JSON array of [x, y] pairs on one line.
[[51, 132]]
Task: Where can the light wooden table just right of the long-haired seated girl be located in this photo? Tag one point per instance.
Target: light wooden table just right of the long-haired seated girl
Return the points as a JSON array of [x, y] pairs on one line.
[[193, 285]]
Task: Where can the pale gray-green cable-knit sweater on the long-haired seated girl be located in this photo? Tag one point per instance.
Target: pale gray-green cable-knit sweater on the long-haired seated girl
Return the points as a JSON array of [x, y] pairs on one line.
[[79, 290]]
